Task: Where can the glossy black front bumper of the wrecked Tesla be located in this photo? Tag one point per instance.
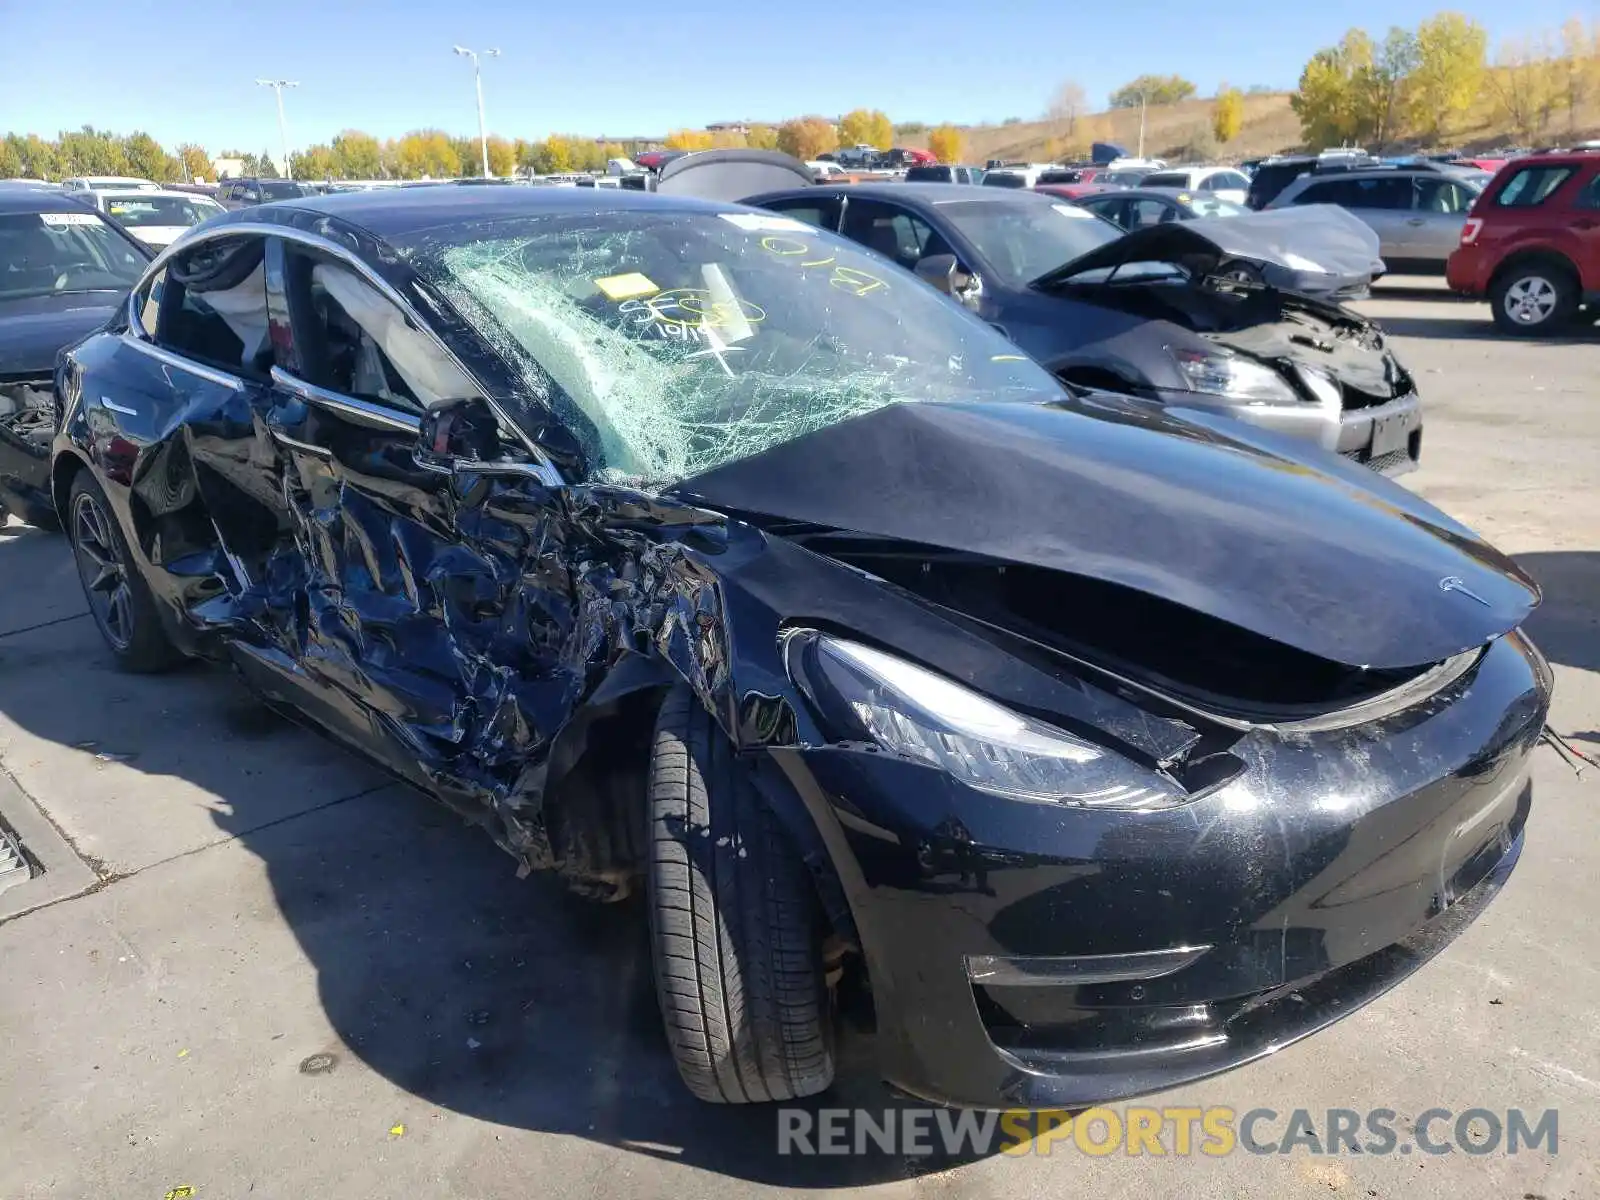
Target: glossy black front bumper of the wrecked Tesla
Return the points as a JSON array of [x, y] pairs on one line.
[[1023, 956]]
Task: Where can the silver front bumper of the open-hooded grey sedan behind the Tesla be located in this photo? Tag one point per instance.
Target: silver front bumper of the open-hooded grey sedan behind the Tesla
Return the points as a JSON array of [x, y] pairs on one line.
[[1385, 438]]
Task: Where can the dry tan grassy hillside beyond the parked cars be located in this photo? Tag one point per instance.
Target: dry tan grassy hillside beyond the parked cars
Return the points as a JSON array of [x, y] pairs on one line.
[[1271, 127]]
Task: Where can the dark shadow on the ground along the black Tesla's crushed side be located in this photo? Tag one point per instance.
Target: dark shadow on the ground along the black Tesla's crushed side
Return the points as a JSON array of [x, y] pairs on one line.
[[500, 999]]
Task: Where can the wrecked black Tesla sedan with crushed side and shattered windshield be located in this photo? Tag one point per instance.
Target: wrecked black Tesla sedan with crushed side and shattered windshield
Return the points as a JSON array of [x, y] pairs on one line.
[[692, 550]]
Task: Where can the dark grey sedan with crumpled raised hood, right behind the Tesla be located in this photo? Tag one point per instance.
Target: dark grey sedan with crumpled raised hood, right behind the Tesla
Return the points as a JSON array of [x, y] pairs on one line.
[[1239, 316]]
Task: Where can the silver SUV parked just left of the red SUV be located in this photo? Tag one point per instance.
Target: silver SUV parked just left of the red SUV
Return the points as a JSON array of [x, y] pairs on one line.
[[1417, 215]]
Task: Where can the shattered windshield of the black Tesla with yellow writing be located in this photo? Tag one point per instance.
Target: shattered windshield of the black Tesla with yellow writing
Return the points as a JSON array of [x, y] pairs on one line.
[[679, 342]]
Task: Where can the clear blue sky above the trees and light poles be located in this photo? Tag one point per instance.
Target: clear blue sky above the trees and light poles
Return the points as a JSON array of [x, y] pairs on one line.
[[186, 71]]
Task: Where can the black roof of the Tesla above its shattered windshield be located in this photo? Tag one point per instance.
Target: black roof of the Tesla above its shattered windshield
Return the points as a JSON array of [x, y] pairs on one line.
[[399, 212]]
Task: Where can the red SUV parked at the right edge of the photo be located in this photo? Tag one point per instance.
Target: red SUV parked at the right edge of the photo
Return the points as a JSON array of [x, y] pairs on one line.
[[1532, 242]]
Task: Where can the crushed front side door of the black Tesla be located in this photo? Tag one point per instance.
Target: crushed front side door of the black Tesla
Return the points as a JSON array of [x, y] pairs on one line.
[[426, 602]]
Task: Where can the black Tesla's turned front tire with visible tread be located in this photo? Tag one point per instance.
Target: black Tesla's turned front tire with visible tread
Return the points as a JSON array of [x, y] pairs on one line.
[[735, 926]]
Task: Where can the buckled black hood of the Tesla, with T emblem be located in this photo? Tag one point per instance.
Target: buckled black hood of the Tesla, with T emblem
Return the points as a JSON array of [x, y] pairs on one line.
[[1217, 518]]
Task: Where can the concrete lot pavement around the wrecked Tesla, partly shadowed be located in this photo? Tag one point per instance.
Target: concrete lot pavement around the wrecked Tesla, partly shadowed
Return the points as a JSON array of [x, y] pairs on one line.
[[270, 972]]
